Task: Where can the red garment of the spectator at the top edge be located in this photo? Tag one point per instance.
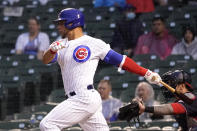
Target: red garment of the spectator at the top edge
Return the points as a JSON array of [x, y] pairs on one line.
[[142, 6]]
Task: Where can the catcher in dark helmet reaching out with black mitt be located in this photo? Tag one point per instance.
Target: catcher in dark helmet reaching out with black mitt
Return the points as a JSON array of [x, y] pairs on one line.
[[185, 113]]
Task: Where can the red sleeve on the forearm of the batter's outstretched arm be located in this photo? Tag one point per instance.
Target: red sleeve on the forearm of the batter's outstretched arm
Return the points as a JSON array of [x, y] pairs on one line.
[[133, 67]]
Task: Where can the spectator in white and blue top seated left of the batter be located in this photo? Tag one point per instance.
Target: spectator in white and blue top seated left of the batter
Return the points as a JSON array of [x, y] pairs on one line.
[[32, 42]]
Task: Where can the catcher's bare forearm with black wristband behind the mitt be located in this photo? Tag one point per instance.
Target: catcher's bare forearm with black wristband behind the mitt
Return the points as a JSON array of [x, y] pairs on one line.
[[165, 109]]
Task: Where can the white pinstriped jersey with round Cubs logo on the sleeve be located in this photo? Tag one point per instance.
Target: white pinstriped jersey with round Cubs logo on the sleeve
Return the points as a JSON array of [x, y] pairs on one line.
[[79, 60]]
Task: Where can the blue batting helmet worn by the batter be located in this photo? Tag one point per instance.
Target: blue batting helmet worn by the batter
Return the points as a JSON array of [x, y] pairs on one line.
[[73, 18]]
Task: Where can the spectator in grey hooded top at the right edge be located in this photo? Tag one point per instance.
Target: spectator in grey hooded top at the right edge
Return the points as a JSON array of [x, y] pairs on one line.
[[188, 45]]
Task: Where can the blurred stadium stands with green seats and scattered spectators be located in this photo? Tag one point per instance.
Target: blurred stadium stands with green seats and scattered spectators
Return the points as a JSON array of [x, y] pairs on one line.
[[157, 34]]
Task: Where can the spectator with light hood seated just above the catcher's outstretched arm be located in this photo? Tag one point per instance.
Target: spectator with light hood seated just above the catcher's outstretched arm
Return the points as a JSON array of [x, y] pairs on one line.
[[145, 91]]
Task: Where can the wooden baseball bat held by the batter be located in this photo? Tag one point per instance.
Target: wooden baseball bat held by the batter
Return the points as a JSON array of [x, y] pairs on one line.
[[178, 94]]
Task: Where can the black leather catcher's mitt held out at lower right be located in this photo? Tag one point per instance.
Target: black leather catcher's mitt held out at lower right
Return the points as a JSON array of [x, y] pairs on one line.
[[129, 111]]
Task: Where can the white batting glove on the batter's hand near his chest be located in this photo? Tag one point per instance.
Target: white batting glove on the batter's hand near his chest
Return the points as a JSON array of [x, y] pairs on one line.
[[57, 45]]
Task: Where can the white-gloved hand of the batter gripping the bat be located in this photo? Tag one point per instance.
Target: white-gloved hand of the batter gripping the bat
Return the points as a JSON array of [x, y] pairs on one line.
[[152, 77]]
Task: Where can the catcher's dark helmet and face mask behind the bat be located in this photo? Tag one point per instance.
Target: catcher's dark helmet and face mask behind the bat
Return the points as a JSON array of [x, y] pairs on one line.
[[173, 78]]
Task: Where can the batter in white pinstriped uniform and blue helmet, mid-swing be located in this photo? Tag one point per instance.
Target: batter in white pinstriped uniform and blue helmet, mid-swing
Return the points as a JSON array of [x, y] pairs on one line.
[[78, 59]]
